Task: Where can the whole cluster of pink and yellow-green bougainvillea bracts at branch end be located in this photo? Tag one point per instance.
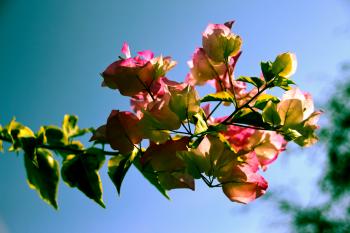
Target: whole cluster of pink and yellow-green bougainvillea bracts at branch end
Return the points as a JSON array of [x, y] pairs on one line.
[[186, 141]]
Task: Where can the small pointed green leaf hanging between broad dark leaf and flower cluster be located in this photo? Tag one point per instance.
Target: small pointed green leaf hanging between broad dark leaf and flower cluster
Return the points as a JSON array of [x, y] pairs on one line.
[[118, 166]]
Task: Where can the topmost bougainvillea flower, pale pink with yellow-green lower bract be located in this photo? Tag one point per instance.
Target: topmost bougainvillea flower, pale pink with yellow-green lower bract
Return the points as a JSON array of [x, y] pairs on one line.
[[220, 43]]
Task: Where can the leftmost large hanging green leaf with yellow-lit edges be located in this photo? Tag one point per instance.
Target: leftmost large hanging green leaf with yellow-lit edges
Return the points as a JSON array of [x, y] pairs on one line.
[[43, 176]]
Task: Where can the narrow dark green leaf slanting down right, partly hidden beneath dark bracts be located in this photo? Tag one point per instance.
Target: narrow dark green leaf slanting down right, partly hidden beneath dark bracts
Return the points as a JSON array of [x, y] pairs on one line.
[[151, 176]]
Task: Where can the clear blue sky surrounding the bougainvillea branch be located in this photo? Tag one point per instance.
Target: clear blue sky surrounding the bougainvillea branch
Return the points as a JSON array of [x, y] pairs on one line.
[[51, 54]]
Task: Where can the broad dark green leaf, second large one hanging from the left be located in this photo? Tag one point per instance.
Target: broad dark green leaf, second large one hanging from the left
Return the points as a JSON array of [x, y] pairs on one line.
[[81, 171]]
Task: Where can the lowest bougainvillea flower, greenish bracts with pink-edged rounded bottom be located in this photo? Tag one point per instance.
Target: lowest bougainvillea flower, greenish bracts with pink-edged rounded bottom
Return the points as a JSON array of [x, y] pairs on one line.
[[236, 172]]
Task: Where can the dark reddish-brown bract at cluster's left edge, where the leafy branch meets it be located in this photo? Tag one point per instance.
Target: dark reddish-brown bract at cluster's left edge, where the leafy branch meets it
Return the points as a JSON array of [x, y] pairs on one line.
[[122, 131]]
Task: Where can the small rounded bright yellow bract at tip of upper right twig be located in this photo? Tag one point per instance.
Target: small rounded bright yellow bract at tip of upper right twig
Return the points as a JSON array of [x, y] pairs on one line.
[[285, 65]]
